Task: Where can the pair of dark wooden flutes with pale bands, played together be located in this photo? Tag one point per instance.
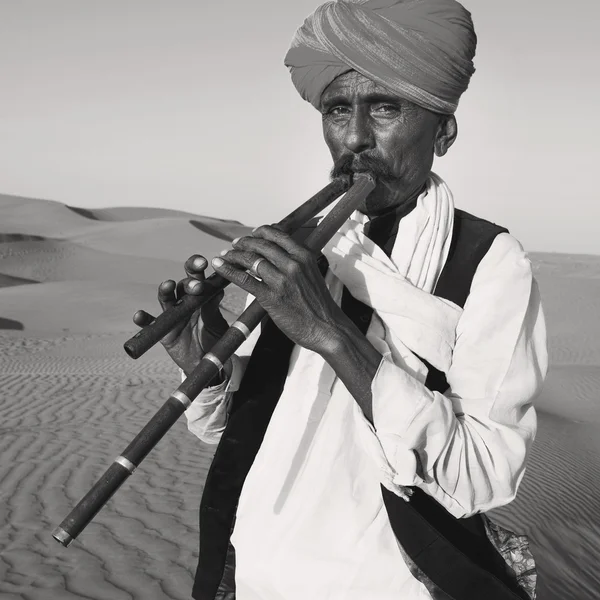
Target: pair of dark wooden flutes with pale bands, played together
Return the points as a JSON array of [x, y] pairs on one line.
[[212, 362]]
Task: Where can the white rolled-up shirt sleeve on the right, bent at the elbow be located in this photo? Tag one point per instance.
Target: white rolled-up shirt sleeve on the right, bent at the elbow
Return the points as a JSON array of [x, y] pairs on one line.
[[468, 447]]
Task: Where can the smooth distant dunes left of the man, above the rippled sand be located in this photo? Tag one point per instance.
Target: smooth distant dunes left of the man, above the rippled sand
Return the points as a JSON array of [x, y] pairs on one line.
[[92, 274]]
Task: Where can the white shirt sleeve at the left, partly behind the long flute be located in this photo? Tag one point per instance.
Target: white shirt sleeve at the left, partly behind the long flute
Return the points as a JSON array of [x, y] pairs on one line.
[[208, 414]]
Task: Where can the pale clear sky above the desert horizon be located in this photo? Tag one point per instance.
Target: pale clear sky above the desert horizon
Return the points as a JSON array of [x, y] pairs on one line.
[[181, 104]]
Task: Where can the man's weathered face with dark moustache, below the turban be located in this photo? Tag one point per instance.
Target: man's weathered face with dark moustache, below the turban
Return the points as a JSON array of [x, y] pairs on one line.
[[368, 128]]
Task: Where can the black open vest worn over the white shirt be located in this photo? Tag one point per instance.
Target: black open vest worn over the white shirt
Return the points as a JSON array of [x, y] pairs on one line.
[[452, 557]]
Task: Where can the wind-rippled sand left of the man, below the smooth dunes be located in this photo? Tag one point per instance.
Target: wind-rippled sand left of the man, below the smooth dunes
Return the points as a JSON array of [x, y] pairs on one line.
[[68, 407]]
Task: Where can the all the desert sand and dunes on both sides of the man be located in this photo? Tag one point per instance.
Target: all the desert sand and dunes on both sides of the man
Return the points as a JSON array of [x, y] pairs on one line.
[[71, 400]]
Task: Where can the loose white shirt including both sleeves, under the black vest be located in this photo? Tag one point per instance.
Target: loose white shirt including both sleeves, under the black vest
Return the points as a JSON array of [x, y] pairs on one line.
[[311, 521]]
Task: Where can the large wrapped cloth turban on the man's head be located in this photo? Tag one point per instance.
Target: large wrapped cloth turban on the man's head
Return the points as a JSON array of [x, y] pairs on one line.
[[421, 50]]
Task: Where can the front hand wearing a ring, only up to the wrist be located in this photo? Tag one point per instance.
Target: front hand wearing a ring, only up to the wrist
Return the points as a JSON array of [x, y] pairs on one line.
[[291, 288]]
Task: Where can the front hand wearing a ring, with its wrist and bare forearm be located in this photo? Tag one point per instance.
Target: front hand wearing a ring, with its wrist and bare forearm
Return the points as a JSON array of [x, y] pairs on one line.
[[293, 292]]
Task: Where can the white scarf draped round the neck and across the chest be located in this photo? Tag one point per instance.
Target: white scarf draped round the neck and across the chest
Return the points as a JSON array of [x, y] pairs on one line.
[[400, 289]]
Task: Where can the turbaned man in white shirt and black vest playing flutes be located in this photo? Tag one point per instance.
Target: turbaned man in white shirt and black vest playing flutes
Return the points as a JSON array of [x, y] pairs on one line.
[[355, 458]]
